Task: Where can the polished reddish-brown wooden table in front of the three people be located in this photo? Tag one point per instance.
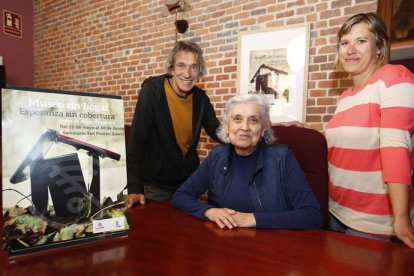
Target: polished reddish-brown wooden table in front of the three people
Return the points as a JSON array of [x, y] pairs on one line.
[[165, 241]]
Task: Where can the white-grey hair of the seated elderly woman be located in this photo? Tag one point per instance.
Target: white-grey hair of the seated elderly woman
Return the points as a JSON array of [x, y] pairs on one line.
[[263, 105]]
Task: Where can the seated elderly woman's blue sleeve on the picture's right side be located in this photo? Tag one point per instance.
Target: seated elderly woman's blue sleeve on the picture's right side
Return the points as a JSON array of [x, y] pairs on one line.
[[305, 211]]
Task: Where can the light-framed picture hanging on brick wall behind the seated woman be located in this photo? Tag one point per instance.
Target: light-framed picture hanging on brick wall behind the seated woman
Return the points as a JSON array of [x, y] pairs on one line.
[[274, 62]]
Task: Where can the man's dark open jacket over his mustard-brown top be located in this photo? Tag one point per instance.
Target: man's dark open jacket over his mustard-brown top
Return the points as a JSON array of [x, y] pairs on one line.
[[153, 155]]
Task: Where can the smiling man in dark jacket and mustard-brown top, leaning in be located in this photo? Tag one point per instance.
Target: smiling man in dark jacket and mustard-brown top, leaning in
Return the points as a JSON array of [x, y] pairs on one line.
[[163, 139]]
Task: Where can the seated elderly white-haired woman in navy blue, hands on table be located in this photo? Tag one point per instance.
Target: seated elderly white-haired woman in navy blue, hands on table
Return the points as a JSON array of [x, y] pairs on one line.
[[251, 181]]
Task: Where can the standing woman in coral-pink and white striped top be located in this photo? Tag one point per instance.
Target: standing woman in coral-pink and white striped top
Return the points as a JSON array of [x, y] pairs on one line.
[[370, 137]]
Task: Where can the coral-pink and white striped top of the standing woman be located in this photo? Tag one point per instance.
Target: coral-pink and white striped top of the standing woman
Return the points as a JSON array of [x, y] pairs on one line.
[[370, 142]]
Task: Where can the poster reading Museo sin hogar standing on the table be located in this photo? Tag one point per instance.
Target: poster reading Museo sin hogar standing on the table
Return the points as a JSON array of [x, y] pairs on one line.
[[63, 169]]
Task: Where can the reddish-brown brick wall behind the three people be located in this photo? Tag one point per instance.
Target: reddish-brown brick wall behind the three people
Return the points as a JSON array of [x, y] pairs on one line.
[[111, 46]]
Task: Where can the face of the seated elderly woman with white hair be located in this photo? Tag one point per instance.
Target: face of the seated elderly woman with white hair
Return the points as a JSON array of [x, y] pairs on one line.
[[245, 127]]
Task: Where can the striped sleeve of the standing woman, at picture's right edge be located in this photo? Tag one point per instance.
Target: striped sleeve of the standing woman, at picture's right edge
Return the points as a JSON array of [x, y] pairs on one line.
[[397, 125]]
